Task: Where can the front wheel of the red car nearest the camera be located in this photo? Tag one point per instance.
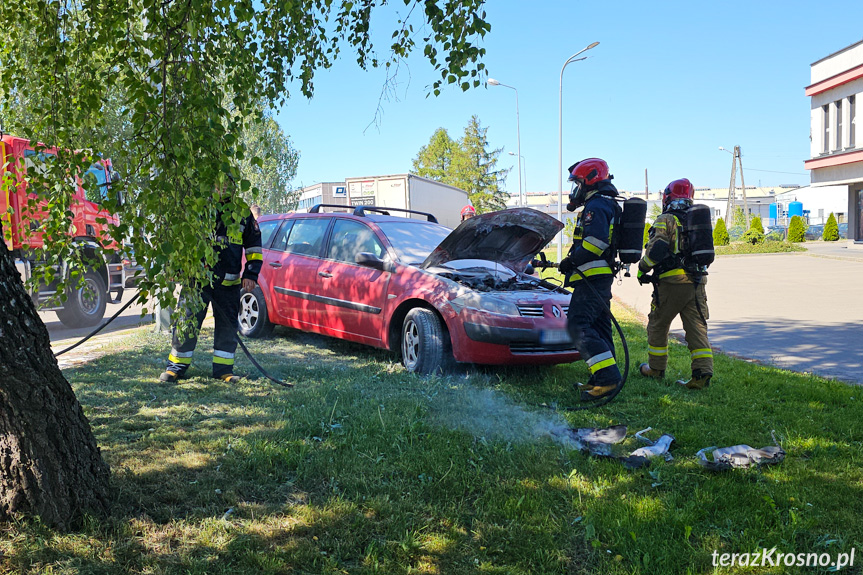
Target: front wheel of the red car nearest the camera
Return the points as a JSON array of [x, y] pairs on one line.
[[425, 346]]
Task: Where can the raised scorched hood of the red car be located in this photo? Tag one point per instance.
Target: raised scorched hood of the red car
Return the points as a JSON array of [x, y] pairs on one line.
[[509, 237]]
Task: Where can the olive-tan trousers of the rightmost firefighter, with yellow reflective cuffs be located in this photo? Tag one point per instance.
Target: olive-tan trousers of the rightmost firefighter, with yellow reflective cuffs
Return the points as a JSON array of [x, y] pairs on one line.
[[688, 300]]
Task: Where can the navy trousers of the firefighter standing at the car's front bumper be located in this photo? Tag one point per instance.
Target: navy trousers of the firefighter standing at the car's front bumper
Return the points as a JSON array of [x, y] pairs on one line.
[[589, 325]]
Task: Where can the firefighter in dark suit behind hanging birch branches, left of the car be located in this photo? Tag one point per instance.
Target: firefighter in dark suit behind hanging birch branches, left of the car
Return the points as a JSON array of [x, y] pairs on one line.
[[224, 292]]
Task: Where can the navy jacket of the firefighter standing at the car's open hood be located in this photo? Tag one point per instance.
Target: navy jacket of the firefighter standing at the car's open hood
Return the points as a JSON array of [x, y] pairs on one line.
[[592, 249]]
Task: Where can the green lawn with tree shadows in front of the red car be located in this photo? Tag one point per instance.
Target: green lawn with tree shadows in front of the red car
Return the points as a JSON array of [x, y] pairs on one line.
[[363, 468]]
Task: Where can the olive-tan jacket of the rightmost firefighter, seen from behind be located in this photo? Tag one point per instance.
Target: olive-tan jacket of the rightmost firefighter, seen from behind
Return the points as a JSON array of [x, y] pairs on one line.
[[664, 250]]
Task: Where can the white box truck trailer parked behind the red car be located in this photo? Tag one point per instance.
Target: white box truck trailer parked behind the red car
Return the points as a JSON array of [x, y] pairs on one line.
[[409, 192]]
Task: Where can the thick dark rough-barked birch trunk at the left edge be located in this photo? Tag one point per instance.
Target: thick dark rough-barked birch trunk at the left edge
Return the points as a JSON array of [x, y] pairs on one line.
[[50, 465]]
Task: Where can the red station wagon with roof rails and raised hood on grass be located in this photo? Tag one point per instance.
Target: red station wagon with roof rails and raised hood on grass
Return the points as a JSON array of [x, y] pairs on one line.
[[412, 286]]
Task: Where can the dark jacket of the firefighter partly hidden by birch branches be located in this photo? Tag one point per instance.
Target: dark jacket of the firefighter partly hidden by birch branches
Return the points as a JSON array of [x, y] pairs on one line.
[[230, 252]]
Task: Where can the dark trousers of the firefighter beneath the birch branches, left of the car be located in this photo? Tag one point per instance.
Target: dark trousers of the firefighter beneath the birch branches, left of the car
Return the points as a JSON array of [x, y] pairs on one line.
[[226, 300]]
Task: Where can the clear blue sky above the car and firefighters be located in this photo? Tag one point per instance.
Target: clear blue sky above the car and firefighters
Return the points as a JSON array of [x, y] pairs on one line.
[[669, 83]]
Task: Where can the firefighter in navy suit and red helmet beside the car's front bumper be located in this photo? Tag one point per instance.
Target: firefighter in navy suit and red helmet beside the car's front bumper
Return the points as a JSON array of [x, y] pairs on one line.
[[589, 319]]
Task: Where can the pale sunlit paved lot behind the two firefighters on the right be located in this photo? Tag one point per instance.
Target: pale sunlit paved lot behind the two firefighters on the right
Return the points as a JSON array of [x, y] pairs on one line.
[[802, 312]]
